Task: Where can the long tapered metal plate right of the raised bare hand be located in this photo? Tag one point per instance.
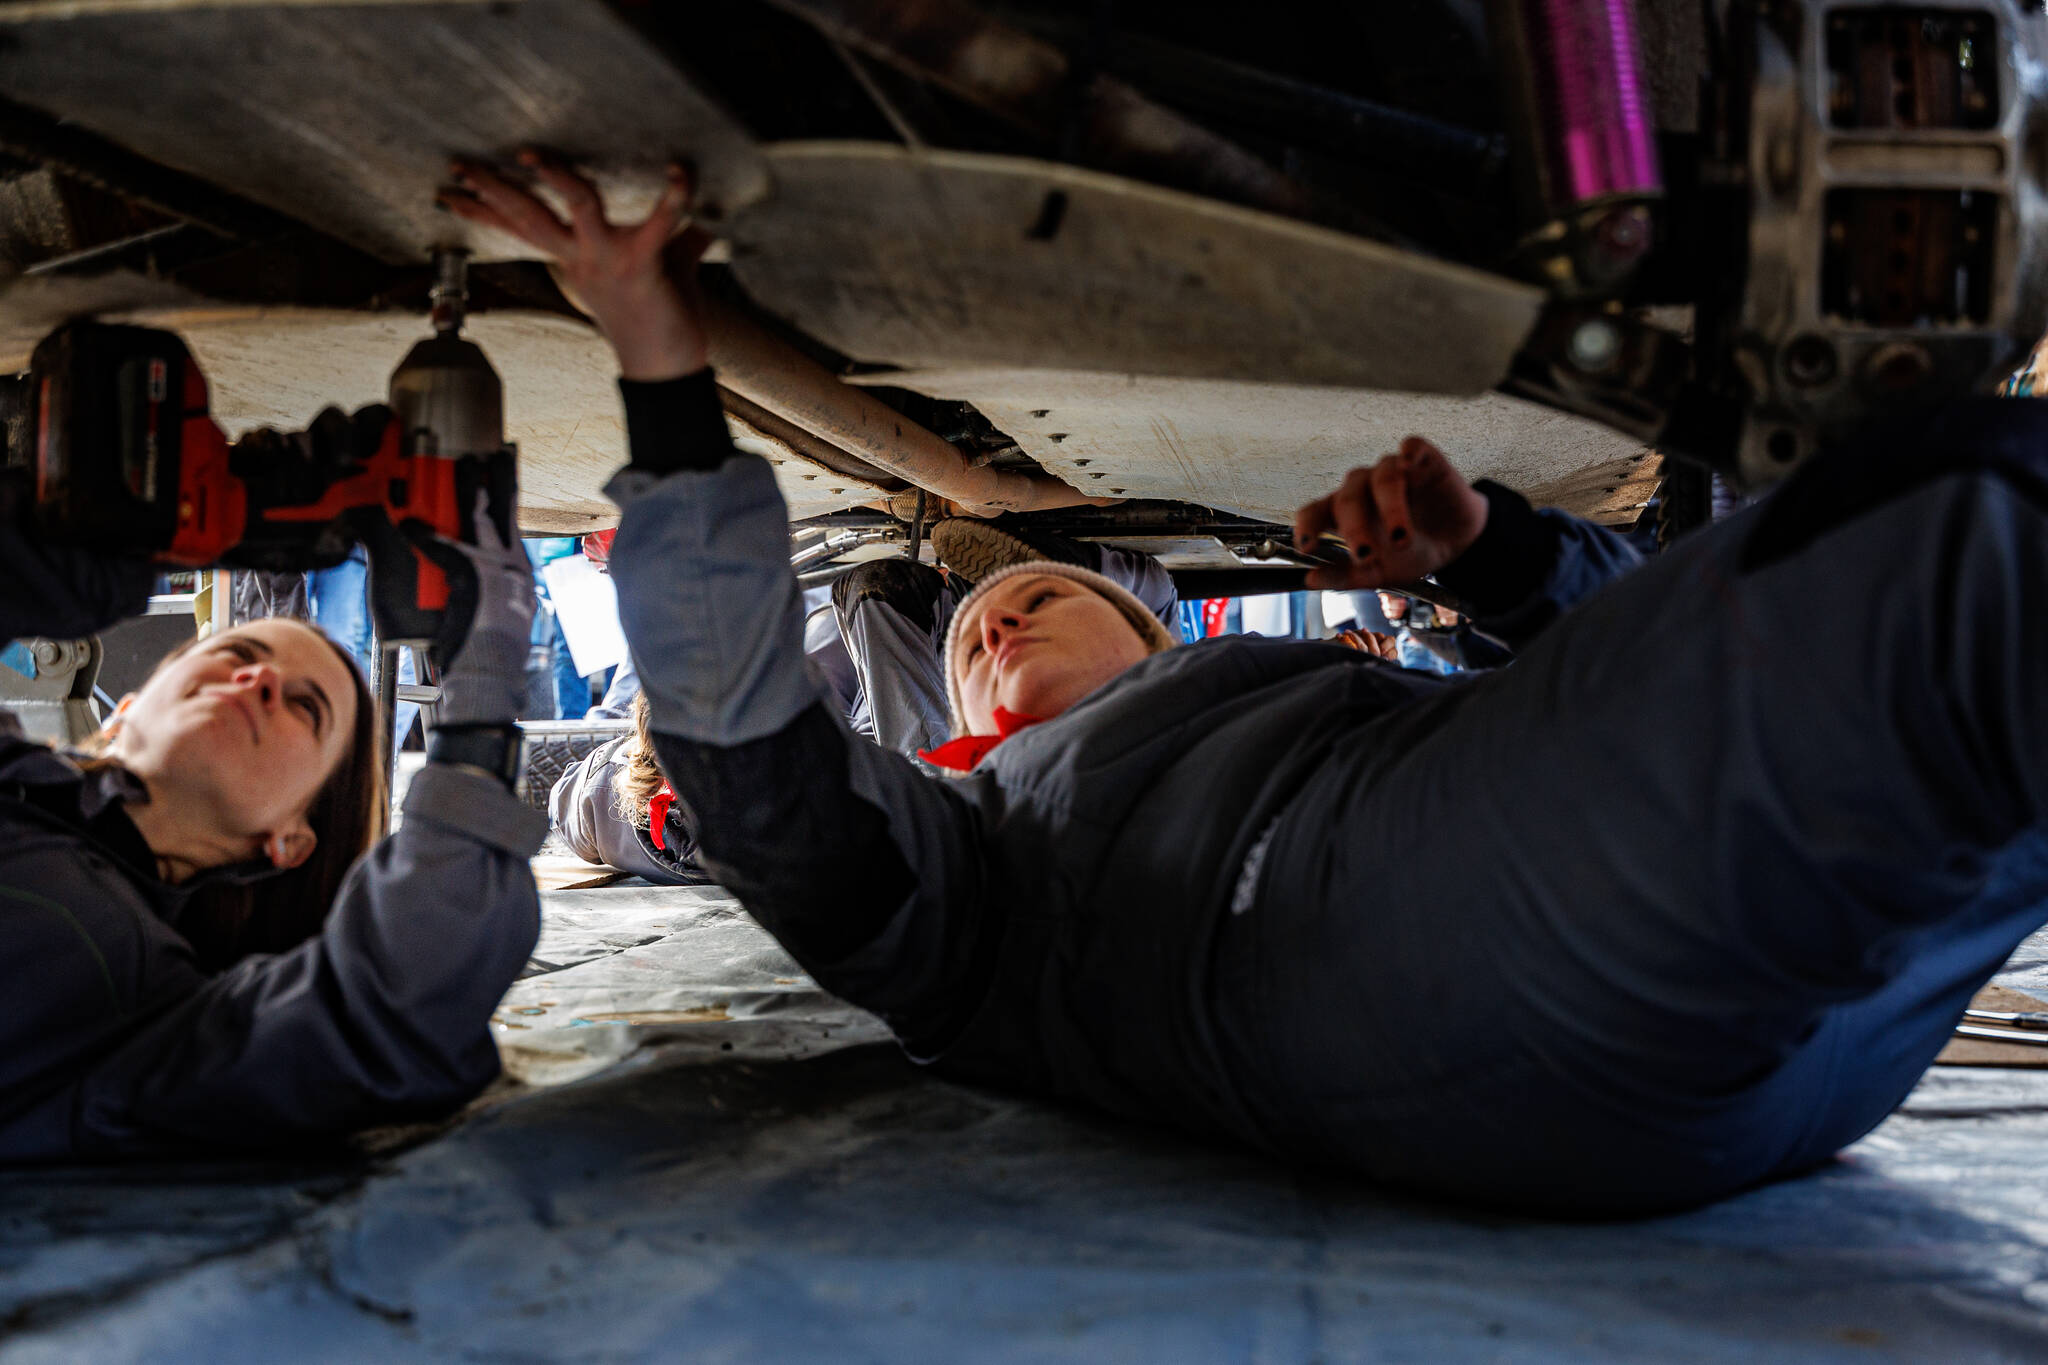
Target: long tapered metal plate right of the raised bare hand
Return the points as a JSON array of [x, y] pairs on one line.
[[939, 259]]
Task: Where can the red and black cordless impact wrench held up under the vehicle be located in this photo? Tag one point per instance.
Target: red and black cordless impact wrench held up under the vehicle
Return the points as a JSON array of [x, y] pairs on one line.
[[126, 457]]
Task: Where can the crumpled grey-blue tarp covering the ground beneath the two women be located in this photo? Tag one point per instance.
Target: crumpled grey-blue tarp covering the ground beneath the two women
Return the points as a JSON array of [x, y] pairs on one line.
[[755, 1178]]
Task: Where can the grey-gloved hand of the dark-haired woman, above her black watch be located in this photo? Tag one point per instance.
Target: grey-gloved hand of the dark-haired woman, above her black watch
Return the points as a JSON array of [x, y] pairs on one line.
[[484, 672]]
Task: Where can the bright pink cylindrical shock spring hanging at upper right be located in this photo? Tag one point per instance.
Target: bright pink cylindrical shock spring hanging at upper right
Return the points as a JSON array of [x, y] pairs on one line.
[[1598, 138]]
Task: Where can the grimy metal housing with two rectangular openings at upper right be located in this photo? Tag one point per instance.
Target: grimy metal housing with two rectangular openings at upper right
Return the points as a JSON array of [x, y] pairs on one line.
[[1895, 243]]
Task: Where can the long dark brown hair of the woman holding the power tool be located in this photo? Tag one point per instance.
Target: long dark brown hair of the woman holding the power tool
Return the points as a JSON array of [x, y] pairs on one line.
[[228, 922]]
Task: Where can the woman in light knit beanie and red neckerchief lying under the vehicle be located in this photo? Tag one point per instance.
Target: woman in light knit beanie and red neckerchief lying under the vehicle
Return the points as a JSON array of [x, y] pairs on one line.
[[1525, 938]]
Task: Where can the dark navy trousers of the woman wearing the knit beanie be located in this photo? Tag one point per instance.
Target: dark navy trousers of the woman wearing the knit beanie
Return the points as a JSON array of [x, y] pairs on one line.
[[1539, 944]]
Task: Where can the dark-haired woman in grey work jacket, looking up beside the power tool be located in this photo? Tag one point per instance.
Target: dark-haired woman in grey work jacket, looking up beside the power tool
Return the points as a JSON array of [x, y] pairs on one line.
[[204, 944]]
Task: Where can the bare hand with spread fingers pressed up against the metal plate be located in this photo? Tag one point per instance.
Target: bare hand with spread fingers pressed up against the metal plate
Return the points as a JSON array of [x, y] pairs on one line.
[[636, 281]]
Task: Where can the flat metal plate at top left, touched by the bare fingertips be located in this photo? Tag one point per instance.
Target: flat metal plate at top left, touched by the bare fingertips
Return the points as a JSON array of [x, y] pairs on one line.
[[345, 116]]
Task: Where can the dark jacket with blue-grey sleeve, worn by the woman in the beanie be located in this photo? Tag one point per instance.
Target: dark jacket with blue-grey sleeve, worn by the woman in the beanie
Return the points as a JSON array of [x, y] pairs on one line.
[[1048, 920]]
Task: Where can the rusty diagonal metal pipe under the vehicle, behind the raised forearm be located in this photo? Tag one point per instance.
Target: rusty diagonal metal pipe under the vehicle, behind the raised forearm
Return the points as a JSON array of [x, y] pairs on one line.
[[775, 376]]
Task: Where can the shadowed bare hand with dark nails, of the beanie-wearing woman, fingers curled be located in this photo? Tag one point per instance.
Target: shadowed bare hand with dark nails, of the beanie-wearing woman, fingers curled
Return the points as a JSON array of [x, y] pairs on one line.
[[1404, 519]]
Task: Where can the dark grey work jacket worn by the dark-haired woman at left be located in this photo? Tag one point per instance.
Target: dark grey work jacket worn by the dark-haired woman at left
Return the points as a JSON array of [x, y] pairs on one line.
[[112, 1037]]
